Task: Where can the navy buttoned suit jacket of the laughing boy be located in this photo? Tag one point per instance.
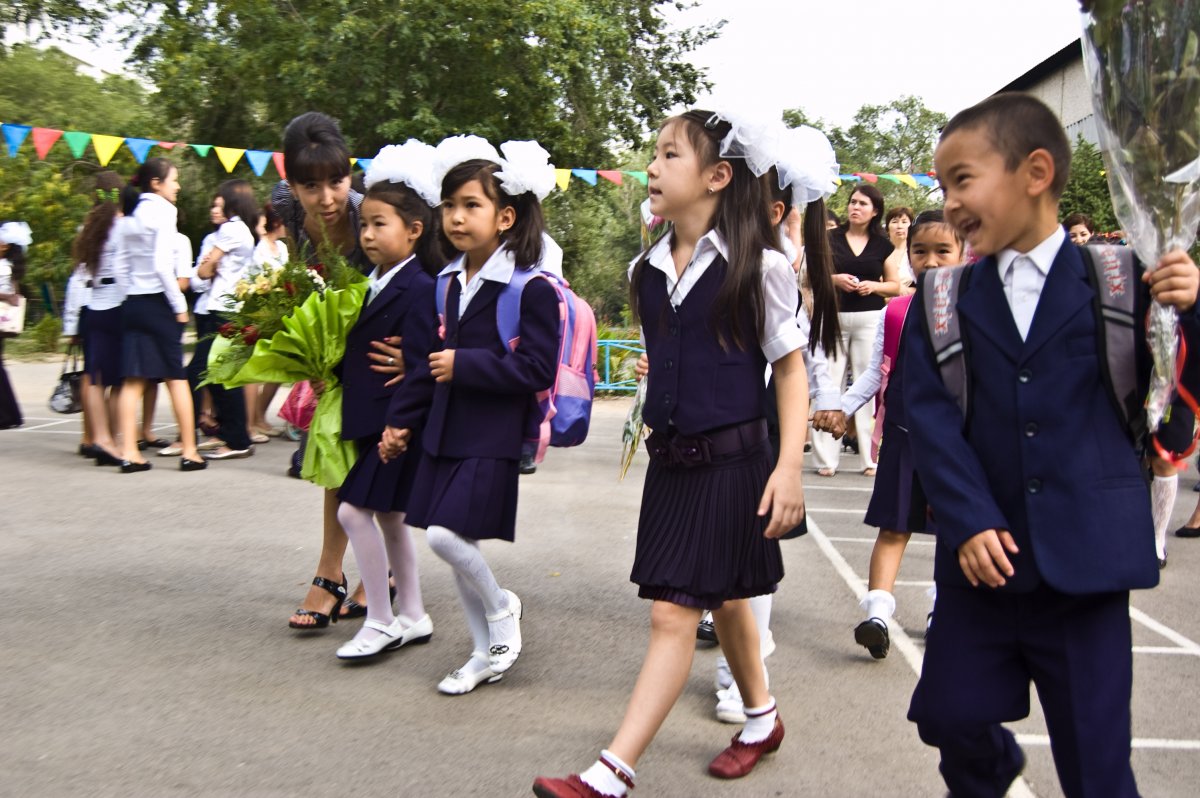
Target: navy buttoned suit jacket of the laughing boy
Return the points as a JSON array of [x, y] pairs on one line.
[[1046, 454]]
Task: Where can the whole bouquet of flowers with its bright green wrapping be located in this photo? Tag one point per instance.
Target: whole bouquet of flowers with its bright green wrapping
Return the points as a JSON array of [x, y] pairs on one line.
[[301, 341]]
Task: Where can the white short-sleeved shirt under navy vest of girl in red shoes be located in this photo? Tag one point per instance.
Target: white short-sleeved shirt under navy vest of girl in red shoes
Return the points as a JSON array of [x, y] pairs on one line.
[[781, 334]]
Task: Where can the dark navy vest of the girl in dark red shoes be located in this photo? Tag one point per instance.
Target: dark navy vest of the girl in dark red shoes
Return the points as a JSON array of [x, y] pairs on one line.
[[694, 385]]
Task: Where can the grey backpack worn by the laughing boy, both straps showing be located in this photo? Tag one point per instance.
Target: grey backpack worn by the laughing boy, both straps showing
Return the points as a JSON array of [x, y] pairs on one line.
[[1111, 271]]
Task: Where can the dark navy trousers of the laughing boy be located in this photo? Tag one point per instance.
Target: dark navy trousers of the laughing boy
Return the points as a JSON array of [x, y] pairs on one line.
[[981, 655]]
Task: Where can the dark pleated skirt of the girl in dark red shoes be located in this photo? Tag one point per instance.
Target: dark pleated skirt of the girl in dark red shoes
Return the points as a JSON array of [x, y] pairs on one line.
[[700, 541]]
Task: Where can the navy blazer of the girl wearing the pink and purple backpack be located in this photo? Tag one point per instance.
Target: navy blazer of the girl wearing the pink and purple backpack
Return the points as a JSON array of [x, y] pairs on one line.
[[482, 412]]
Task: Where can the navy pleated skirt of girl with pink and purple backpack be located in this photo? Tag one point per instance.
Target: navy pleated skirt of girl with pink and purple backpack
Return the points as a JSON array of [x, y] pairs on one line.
[[475, 497]]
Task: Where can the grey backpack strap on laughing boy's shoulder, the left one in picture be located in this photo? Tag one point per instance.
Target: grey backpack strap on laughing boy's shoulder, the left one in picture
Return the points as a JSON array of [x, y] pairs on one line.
[[944, 328]]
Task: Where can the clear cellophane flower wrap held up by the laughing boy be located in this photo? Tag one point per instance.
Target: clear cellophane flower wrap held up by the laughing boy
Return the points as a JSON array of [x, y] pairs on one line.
[[1142, 61]]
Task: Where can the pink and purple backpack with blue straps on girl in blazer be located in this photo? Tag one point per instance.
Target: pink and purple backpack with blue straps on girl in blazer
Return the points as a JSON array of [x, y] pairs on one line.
[[563, 412]]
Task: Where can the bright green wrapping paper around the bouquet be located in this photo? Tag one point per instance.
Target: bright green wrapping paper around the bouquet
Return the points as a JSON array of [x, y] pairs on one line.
[[310, 346]]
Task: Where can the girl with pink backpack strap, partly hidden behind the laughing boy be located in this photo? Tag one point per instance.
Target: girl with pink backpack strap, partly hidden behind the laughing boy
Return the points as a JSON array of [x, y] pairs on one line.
[[898, 506]]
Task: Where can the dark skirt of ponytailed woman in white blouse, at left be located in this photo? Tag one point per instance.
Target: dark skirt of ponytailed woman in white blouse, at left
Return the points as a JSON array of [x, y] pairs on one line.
[[152, 339]]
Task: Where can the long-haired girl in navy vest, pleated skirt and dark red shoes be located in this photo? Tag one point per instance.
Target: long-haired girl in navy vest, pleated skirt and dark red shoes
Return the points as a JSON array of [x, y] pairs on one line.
[[717, 303]]
